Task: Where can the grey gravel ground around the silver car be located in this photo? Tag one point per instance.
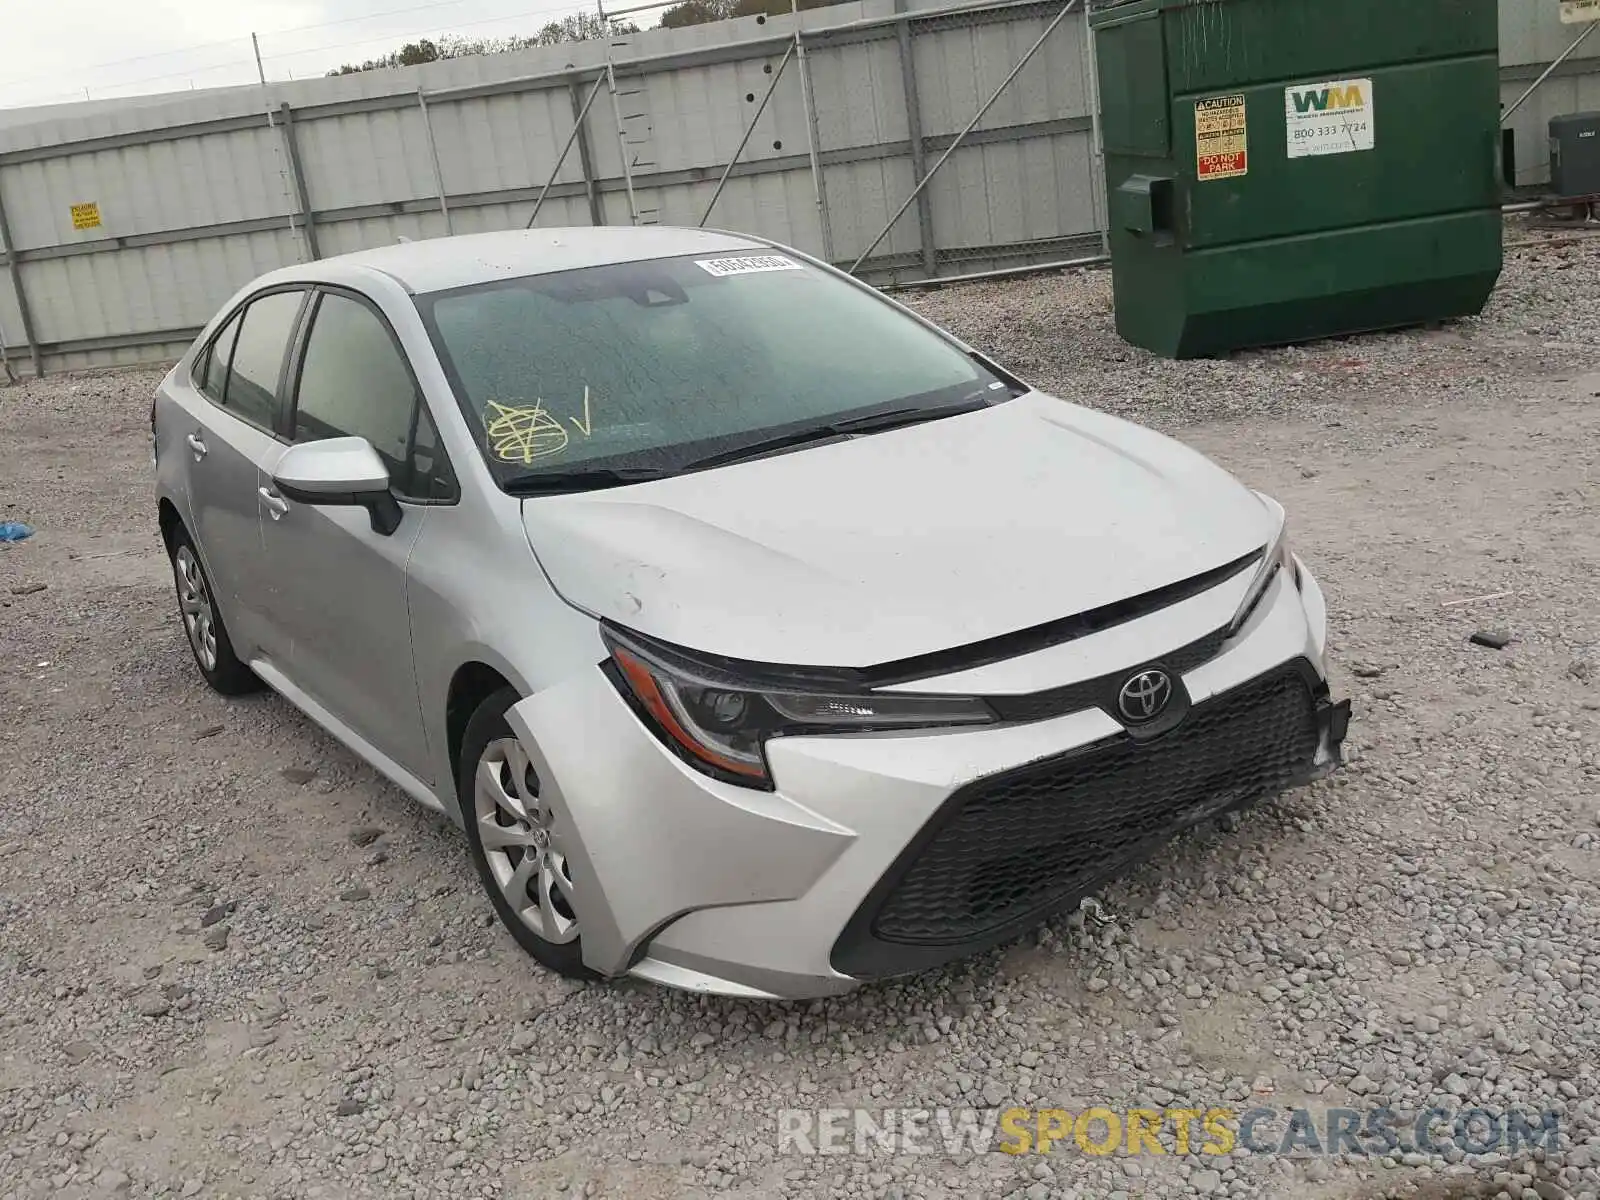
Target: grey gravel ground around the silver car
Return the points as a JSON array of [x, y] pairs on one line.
[[238, 964]]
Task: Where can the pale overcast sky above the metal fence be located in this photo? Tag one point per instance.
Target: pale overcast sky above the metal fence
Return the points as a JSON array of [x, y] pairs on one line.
[[57, 49]]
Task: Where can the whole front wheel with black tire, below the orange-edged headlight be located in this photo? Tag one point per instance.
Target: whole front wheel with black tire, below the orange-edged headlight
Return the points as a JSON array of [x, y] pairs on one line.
[[526, 870]]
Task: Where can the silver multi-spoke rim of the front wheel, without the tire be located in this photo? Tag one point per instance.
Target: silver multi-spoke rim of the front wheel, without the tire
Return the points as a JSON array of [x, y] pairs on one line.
[[522, 844]]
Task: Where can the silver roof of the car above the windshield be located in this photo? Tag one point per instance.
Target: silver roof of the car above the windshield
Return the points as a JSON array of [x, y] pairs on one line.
[[442, 263]]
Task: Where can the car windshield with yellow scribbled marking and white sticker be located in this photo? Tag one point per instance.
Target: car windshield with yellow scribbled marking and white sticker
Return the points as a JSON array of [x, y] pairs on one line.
[[638, 370]]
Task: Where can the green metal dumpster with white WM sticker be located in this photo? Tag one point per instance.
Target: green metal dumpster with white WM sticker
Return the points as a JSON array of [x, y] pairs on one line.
[[1284, 170]]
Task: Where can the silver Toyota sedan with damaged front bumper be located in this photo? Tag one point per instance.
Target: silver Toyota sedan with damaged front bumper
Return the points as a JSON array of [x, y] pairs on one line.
[[762, 638]]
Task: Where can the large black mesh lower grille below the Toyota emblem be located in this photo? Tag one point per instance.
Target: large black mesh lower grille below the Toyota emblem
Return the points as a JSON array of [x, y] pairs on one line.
[[1018, 844]]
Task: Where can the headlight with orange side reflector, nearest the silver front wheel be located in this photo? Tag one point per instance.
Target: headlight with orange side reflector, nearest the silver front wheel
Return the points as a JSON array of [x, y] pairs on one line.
[[721, 724]]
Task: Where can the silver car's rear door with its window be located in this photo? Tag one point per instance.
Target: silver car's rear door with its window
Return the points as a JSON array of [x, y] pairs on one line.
[[230, 426]]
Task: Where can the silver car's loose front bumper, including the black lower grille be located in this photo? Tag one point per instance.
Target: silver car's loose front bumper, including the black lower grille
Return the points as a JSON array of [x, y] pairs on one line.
[[889, 854]]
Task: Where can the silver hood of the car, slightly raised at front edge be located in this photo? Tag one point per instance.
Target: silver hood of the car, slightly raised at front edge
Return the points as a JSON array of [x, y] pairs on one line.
[[902, 543]]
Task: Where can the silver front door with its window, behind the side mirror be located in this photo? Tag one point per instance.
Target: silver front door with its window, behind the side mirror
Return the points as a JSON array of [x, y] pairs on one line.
[[337, 586]]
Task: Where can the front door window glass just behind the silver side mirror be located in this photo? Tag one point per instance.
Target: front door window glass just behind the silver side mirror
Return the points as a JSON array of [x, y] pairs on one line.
[[354, 383]]
